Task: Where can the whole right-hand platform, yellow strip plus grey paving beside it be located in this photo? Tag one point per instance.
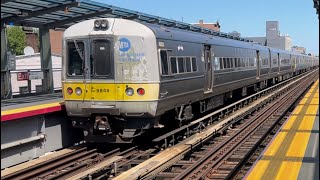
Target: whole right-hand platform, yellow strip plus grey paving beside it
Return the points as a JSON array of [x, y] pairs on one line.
[[293, 153]]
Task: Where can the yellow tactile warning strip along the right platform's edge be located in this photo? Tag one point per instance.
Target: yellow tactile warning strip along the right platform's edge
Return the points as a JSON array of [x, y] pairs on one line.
[[283, 157]]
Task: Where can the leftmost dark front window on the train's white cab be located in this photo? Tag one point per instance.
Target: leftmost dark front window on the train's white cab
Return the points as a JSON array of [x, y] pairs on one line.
[[75, 56]]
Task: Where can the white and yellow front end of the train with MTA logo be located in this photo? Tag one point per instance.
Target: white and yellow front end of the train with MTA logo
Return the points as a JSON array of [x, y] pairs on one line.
[[110, 82]]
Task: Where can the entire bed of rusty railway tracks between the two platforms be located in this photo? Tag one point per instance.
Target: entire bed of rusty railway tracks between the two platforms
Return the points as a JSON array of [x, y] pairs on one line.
[[212, 146]]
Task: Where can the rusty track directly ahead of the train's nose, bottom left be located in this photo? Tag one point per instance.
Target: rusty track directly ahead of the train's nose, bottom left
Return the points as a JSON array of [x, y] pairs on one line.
[[78, 162]]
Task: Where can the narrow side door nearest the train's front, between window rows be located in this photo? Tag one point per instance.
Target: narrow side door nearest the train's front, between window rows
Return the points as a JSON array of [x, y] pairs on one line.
[[208, 69]]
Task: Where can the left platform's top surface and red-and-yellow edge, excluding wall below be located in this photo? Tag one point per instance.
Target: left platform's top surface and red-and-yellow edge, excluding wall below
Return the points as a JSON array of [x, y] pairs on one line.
[[22, 107]]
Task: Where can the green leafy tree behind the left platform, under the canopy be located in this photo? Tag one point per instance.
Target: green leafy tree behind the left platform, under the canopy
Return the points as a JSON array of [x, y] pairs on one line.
[[16, 39]]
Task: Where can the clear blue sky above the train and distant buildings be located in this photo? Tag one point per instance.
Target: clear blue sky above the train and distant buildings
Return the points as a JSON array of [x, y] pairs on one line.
[[298, 18]]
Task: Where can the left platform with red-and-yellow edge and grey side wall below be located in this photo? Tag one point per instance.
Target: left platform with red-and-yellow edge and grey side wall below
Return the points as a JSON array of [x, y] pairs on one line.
[[32, 126]]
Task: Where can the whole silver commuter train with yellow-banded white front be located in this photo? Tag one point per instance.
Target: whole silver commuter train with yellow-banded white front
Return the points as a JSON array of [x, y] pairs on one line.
[[121, 76]]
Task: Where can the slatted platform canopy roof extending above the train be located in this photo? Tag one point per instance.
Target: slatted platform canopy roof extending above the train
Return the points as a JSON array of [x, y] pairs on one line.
[[60, 14]]
